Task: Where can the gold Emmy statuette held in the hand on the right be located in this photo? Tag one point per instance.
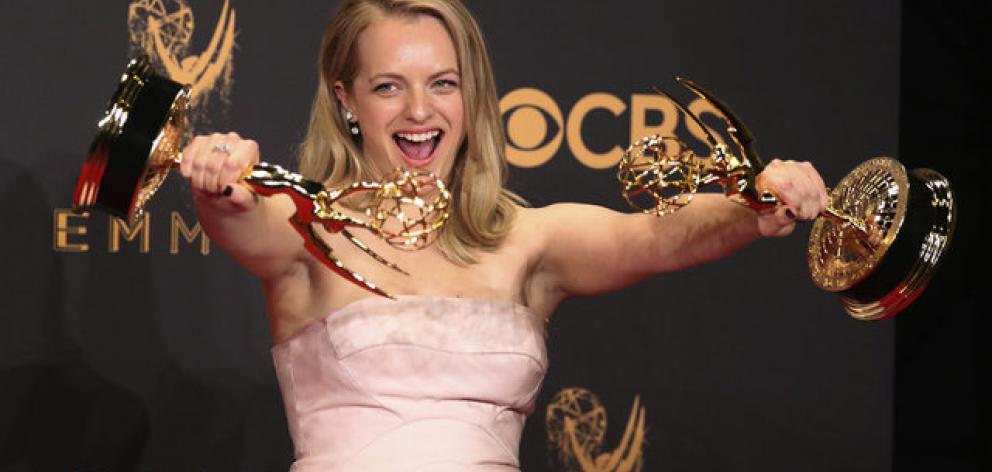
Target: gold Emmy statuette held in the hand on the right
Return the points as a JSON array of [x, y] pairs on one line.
[[877, 244]]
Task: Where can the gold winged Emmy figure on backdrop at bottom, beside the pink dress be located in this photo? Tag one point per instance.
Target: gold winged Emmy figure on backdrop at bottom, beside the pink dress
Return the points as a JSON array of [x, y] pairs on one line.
[[576, 425]]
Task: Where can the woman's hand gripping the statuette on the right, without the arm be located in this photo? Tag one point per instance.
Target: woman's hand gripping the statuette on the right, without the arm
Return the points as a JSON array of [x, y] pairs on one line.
[[800, 191]]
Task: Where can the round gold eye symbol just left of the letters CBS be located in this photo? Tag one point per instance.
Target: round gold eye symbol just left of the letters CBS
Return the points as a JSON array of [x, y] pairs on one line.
[[526, 127]]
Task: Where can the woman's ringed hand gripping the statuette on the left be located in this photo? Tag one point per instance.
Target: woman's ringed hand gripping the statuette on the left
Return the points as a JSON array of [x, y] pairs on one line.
[[214, 165]]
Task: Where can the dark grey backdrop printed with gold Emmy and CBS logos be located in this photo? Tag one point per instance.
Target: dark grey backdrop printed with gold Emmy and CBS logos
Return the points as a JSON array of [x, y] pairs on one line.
[[146, 348]]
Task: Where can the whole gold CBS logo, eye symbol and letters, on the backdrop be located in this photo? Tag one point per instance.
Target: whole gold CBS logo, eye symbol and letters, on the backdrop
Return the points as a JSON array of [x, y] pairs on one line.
[[526, 113]]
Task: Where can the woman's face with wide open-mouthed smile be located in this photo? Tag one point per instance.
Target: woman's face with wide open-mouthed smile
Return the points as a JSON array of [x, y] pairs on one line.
[[407, 95]]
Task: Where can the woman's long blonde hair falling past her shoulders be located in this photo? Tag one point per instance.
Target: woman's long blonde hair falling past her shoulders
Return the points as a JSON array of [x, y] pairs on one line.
[[482, 209]]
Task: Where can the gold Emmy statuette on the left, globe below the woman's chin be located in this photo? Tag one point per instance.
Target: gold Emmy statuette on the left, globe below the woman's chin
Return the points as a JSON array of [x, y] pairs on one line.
[[139, 139]]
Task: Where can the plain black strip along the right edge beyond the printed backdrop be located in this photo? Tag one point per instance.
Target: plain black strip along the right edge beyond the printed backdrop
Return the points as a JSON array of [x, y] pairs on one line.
[[942, 416]]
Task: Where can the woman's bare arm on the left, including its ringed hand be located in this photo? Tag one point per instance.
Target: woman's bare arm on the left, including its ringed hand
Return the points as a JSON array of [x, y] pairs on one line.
[[252, 229]]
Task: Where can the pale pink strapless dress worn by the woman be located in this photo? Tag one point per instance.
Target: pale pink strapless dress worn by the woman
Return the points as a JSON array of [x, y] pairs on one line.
[[413, 384]]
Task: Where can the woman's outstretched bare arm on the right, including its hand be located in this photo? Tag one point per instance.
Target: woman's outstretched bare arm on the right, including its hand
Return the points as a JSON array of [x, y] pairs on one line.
[[588, 249]]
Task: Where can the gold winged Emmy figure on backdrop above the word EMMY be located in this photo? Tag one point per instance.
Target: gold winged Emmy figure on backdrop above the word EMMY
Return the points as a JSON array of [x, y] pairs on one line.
[[163, 30]]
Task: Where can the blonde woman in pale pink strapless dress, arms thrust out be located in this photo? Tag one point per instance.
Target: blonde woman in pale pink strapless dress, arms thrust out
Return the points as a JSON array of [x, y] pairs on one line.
[[444, 376]]
